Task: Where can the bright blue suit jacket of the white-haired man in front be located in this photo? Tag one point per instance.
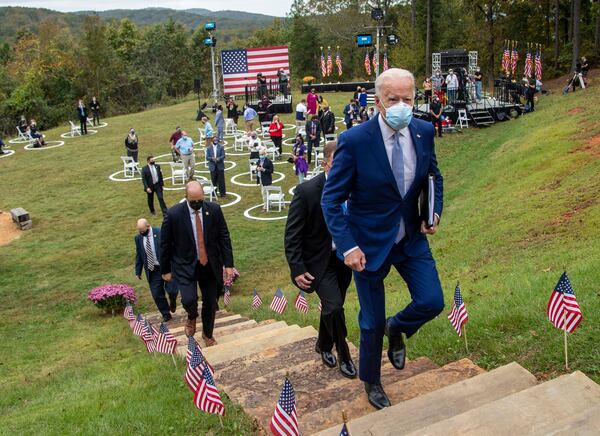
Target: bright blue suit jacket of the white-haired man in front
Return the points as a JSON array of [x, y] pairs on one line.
[[361, 173]]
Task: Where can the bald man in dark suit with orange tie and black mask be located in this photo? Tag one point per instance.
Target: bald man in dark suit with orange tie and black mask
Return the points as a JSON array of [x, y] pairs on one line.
[[195, 247]]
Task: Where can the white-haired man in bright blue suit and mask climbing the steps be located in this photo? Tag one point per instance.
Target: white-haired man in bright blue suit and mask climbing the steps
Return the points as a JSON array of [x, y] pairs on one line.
[[379, 169]]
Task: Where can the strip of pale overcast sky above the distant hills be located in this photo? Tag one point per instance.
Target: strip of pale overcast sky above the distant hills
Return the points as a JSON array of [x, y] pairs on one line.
[[268, 7]]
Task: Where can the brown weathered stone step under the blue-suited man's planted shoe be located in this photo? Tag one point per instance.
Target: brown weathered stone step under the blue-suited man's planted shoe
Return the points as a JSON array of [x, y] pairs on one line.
[[410, 384]]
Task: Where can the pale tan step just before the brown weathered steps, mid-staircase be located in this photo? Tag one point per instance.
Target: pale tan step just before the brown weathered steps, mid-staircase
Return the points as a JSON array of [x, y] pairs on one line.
[[231, 351]]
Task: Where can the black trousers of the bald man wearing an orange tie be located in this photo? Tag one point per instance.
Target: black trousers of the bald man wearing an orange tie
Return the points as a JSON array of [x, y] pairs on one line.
[[205, 279]]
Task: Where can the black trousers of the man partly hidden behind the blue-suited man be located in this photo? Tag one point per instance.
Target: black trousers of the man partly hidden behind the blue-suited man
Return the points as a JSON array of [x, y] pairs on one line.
[[332, 293]]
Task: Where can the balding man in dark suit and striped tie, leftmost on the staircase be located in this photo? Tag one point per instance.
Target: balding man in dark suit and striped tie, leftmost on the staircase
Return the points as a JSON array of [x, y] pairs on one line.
[[148, 257]]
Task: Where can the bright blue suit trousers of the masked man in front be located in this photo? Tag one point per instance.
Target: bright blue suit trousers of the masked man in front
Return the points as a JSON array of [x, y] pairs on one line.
[[420, 274]]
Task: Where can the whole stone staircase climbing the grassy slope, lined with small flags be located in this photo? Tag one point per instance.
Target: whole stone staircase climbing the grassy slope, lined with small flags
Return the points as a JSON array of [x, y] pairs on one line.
[[252, 359]]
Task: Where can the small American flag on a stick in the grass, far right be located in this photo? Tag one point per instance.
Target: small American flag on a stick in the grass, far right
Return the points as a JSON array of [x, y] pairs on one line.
[[563, 310]]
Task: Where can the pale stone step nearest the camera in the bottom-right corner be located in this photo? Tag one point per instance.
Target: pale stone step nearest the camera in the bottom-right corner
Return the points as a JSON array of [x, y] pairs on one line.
[[531, 411]]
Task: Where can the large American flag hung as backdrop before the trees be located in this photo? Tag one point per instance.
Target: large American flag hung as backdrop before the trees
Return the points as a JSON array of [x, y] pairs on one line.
[[241, 66]]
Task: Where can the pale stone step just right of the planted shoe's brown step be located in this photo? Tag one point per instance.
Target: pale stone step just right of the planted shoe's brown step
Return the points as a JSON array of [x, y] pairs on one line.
[[434, 406]]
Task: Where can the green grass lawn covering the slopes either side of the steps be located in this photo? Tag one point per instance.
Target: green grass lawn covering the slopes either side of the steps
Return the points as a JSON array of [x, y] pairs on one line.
[[520, 205]]
